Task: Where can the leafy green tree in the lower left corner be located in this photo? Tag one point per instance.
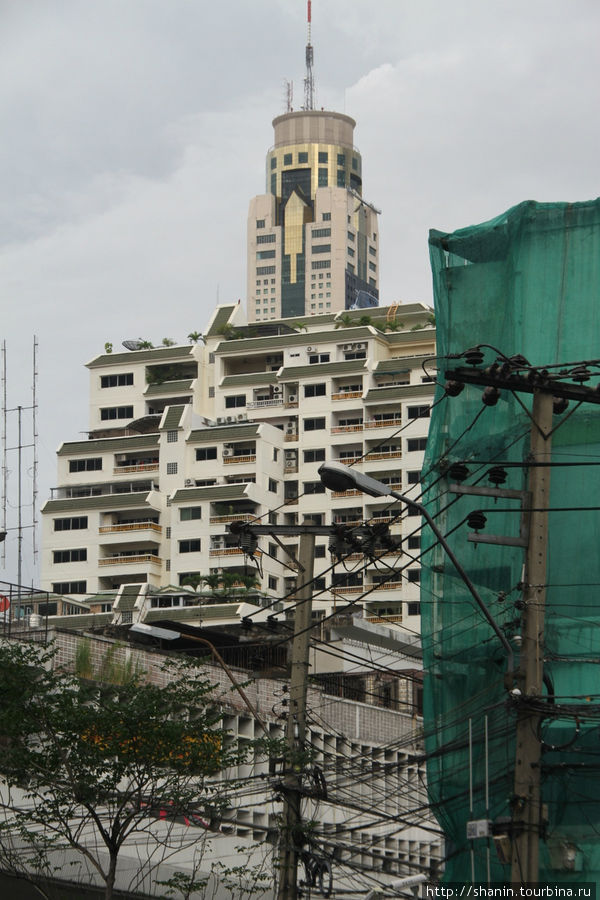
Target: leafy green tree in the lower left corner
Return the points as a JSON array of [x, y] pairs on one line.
[[89, 766]]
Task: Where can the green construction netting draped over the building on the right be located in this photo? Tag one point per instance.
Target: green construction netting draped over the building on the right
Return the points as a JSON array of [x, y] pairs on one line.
[[527, 282]]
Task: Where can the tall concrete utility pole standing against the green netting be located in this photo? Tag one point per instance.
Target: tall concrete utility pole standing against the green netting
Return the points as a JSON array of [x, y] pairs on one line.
[[527, 813]]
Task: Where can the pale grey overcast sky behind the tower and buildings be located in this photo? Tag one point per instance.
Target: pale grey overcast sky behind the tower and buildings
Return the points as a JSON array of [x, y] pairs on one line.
[[135, 132]]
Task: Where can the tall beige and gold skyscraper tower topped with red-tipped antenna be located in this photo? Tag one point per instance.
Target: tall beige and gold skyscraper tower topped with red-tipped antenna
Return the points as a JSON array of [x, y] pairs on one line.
[[312, 238]]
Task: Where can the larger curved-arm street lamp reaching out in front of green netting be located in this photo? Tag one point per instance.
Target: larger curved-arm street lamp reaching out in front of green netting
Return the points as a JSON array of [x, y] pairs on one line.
[[338, 477]]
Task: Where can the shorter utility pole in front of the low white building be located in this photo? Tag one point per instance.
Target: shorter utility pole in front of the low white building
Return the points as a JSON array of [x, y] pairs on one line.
[[291, 835]]
